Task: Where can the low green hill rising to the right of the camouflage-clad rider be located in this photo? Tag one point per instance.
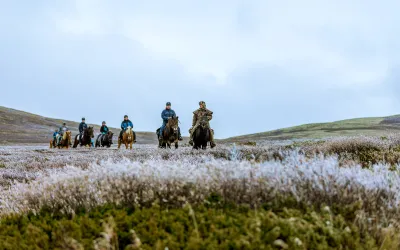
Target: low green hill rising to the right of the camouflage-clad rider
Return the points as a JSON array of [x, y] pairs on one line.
[[374, 126]]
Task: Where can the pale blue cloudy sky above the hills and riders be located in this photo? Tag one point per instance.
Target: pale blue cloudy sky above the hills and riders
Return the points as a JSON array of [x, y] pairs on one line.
[[258, 64]]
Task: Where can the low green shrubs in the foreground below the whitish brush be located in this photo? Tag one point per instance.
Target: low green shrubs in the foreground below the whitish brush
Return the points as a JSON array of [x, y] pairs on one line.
[[204, 227]]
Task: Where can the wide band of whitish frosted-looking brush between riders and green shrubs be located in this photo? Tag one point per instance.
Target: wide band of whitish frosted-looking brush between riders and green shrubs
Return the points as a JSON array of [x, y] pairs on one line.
[[64, 181]]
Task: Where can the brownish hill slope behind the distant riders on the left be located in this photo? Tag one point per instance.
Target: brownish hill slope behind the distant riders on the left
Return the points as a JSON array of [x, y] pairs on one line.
[[18, 127]]
